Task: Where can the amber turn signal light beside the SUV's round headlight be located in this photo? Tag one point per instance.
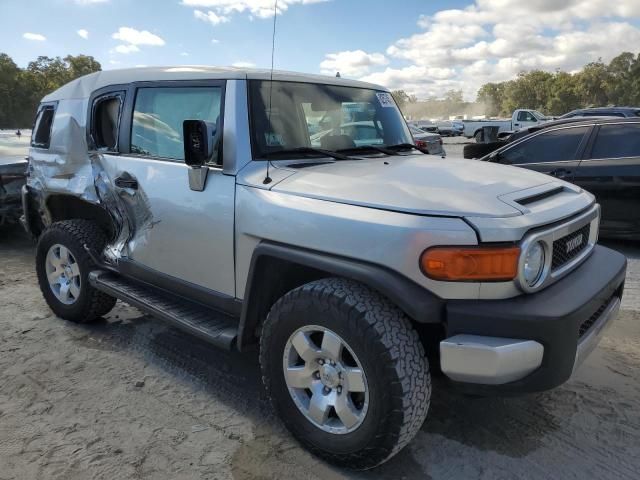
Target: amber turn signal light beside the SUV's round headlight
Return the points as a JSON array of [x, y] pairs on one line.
[[470, 264]]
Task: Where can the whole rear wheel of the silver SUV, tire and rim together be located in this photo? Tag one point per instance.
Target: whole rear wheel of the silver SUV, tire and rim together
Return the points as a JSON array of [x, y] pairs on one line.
[[63, 267]]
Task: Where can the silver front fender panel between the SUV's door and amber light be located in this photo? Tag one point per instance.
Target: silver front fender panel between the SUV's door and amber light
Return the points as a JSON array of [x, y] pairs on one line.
[[390, 239]]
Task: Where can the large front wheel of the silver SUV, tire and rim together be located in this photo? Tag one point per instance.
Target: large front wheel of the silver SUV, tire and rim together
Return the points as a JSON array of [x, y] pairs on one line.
[[345, 371]]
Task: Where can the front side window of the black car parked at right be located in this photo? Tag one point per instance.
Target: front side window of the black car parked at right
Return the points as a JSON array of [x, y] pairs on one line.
[[553, 146]]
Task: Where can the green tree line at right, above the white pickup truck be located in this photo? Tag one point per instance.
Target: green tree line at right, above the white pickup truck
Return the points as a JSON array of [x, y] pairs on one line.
[[596, 85]]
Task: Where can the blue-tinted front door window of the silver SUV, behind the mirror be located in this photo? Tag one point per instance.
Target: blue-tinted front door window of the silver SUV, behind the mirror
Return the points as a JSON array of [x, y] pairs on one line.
[[159, 113]]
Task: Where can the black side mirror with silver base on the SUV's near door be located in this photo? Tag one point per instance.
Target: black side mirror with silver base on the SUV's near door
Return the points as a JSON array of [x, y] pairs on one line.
[[199, 143]]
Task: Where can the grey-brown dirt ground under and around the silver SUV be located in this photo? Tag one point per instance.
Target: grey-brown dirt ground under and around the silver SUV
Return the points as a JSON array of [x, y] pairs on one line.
[[129, 397]]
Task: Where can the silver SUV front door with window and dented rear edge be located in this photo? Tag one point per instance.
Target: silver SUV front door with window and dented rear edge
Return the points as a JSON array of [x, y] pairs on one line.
[[173, 230]]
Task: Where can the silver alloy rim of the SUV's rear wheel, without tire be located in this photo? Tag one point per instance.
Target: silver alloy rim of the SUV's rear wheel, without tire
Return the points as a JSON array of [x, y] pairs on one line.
[[63, 274]]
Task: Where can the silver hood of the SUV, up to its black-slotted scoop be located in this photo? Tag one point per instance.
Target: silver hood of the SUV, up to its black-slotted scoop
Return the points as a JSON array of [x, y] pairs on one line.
[[418, 184]]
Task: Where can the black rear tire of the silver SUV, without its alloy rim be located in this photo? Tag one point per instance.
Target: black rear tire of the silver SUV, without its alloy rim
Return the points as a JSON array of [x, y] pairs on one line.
[[74, 234]]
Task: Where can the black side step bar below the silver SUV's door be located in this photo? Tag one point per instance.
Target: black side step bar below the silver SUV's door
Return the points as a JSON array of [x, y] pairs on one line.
[[203, 322]]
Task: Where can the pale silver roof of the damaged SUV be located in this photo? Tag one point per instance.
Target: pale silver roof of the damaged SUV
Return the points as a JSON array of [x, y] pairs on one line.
[[83, 87]]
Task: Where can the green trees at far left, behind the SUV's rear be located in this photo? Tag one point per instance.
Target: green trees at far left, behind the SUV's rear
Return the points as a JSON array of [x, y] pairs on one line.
[[22, 89]]
